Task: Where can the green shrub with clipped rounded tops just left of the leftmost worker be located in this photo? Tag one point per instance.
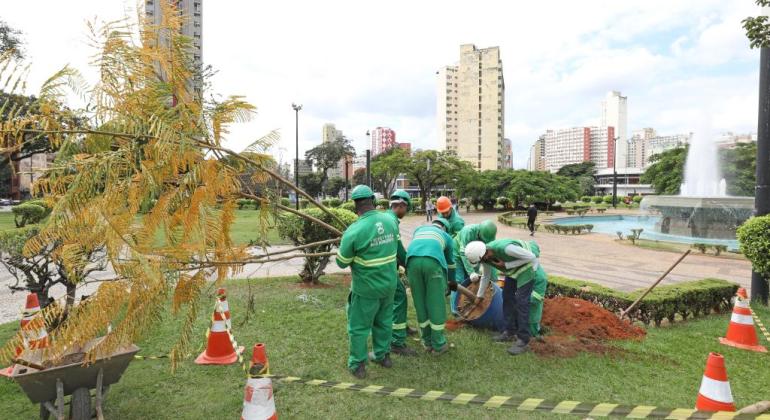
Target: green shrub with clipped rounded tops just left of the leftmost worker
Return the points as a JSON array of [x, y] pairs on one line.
[[302, 231]]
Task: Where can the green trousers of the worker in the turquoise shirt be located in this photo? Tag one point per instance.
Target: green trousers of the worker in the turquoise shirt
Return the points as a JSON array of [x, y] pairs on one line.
[[427, 279]]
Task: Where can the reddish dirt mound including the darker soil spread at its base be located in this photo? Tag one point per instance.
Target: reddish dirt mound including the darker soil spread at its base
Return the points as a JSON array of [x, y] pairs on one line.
[[576, 326]]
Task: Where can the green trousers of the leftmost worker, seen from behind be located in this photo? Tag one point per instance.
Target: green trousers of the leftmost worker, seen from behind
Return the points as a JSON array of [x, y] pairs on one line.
[[365, 316]]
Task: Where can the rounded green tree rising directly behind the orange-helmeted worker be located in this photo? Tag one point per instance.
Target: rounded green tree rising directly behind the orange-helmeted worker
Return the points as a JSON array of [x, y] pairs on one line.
[[444, 167]]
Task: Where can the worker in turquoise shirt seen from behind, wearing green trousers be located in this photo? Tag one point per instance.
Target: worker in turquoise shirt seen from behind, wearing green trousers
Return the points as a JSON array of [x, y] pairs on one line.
[[430, 267]]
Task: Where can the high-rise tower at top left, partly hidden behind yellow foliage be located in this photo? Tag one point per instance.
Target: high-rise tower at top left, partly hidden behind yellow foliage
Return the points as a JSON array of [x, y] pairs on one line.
[[192, 27]]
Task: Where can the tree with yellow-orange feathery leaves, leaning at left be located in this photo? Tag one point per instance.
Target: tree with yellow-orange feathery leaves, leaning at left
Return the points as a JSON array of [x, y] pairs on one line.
[[146, 144]]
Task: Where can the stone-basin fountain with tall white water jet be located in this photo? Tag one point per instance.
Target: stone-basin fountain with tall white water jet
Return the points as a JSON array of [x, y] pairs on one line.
[[703, 211]]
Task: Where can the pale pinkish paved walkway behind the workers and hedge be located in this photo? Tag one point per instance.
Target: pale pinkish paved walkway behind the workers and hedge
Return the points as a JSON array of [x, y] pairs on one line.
[[595, 257]]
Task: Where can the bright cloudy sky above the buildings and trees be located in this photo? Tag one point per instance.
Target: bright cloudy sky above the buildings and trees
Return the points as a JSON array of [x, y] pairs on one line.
[[362, 64]]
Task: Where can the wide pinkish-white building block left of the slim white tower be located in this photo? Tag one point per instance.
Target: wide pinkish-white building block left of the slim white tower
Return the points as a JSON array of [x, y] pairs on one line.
[[579, 144]]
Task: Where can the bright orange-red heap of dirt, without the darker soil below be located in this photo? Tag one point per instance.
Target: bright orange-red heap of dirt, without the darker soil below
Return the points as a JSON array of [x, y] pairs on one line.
[[583, 319]]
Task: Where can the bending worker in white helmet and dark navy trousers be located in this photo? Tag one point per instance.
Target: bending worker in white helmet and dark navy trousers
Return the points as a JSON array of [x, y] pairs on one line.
[[519, 263]]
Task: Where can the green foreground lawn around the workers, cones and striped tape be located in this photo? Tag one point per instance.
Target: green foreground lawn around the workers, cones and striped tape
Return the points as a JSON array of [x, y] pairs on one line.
[[304, 330]]
